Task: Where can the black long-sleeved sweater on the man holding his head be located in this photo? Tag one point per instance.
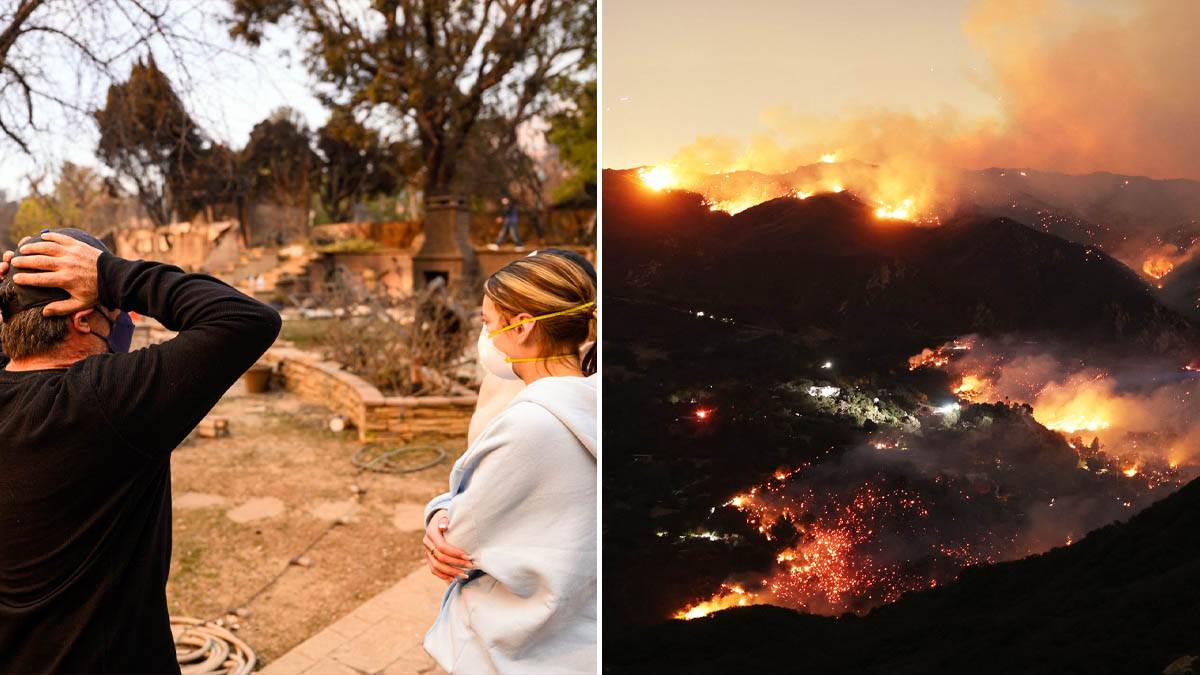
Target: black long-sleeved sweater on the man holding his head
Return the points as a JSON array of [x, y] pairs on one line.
[[86, 475]]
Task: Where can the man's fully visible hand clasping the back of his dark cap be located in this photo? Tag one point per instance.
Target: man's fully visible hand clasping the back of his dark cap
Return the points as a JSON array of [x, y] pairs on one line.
[[63, 262]]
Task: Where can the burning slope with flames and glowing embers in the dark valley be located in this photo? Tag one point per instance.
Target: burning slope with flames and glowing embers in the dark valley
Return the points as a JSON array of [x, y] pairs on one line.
[[1036, 452]]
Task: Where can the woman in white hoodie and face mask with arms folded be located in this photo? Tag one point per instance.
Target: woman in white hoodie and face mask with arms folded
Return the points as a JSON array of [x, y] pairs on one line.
[[517, 533]]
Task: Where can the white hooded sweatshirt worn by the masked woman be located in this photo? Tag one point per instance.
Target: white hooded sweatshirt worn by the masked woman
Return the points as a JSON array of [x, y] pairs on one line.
[[523, 503]]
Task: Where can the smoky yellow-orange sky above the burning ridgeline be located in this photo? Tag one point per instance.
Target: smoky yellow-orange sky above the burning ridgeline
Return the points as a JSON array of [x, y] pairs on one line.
[[1072, 86]]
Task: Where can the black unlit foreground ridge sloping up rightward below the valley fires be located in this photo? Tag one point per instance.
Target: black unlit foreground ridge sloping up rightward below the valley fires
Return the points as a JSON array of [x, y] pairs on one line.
[[1124, 600]]
